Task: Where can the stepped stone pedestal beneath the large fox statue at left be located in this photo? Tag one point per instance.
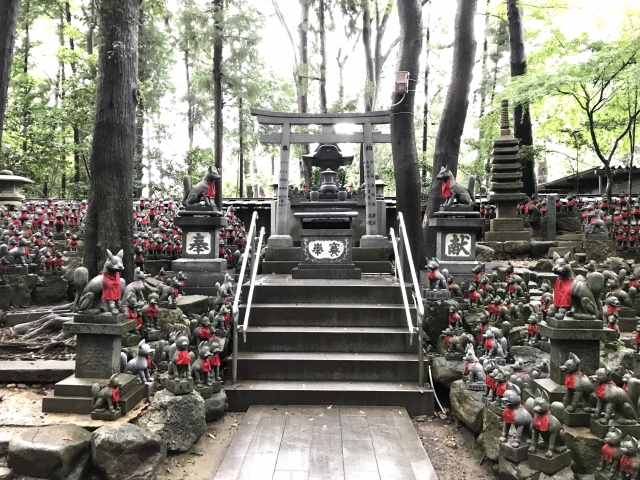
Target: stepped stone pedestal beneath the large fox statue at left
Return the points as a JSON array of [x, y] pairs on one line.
[[98, 346]]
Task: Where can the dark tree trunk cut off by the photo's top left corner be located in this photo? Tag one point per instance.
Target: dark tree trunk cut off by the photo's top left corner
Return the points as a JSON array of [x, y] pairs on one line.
[[8, 22]]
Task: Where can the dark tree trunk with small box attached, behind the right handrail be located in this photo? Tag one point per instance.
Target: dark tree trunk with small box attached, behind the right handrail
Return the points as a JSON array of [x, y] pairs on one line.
[[405, 154]]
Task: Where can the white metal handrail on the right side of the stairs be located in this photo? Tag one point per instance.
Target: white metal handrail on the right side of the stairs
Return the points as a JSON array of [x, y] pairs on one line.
[[398, 250]]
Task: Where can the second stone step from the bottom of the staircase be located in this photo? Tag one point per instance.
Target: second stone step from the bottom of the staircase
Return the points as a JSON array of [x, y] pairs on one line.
[[328, 366]]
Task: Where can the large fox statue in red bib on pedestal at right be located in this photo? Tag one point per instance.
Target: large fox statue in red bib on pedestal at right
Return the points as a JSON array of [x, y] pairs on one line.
[[577, 295]]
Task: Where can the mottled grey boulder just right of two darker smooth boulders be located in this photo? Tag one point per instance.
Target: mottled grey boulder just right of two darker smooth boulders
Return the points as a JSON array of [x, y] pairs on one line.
[[178, 419]]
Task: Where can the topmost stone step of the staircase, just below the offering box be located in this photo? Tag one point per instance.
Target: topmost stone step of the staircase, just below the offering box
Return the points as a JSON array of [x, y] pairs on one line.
[[277, 289]]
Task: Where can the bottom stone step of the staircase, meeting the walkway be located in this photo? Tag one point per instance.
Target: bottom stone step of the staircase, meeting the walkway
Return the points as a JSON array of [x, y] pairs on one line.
[[417, 401]]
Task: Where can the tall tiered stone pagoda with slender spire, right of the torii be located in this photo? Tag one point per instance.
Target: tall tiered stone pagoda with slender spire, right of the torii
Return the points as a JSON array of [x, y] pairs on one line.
[[506, 186]]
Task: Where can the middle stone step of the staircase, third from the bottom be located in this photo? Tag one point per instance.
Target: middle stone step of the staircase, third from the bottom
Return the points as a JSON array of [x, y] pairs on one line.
[[329, 339]]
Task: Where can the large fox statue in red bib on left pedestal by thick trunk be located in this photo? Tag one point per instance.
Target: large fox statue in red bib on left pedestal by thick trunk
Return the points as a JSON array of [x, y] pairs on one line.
[[107, 287]]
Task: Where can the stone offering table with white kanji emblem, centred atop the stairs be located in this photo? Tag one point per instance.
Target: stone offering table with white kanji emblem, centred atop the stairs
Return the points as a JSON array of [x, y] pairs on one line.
[[326, 240]]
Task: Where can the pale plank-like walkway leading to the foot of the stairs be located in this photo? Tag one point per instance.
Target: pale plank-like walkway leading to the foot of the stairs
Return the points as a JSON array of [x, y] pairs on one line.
[[320, 443]]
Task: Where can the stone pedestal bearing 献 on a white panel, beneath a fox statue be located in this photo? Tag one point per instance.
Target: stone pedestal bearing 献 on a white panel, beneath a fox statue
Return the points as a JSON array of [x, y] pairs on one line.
[[457, 229]]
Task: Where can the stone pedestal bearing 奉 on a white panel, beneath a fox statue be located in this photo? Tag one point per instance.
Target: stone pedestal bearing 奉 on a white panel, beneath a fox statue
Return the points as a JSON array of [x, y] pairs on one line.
[[200, 260]]
